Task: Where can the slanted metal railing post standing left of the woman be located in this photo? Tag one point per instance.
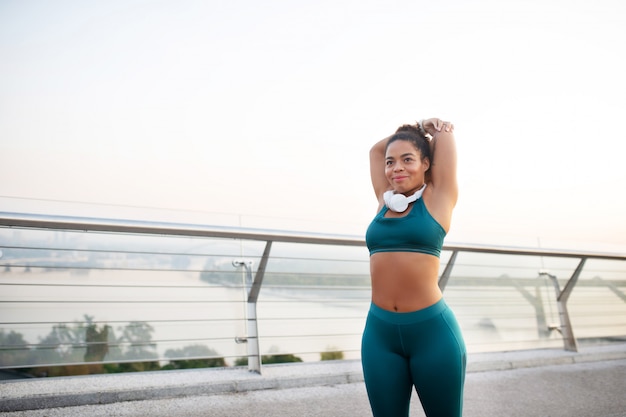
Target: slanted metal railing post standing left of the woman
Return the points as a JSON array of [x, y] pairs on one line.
[[253, 288]]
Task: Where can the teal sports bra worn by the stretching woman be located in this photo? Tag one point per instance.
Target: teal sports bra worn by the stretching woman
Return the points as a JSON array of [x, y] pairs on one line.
[[418, 231]]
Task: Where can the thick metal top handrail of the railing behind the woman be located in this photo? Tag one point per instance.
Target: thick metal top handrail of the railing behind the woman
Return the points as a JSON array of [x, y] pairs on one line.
[[29, 220]]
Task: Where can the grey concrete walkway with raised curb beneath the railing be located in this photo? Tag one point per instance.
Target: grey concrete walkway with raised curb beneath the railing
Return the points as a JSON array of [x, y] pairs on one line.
[[559, 375]]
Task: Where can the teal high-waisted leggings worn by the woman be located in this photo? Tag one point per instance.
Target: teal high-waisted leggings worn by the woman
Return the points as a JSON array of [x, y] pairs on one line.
[[424, 349]]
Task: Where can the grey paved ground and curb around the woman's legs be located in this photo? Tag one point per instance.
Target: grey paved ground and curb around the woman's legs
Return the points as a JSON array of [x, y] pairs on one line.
[[547, 383]]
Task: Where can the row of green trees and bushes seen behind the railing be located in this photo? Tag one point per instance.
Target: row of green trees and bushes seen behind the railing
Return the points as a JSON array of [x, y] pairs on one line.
[[89, 343]]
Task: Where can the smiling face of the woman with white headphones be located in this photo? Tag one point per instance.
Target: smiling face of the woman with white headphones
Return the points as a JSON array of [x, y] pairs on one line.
[[404, 167]]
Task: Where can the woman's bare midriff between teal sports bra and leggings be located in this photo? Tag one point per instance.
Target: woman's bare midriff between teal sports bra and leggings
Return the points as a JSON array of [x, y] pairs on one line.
[[404, 281]]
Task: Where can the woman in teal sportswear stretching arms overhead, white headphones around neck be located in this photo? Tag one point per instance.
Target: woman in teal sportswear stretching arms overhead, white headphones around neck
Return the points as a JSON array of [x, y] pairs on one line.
[[411, 337]]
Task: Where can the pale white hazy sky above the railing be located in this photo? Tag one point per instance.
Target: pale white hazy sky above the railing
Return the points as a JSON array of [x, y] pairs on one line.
[[262, 113]]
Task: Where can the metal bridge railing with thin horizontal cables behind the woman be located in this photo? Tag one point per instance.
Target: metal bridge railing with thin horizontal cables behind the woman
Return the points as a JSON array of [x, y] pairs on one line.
[[185, 276]]
